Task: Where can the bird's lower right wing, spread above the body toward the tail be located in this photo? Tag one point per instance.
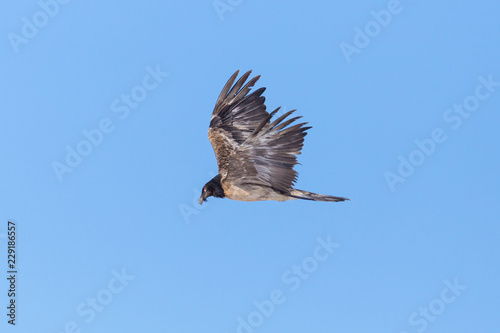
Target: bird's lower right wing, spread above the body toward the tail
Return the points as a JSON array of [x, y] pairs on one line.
[[268, 155]]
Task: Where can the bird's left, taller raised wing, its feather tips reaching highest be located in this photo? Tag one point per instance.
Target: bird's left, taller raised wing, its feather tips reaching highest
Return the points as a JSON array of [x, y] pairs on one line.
[[236, 115]]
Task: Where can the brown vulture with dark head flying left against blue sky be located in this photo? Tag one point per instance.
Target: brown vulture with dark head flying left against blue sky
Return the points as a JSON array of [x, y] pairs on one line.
[[255, 153]]
